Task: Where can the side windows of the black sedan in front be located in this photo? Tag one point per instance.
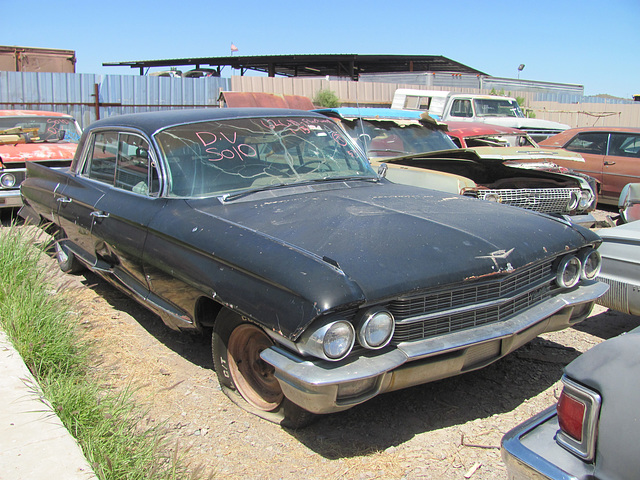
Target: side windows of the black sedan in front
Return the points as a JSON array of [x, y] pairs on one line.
[[122, 160]]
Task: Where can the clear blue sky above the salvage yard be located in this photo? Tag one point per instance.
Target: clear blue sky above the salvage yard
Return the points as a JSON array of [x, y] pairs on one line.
[[591, 43]]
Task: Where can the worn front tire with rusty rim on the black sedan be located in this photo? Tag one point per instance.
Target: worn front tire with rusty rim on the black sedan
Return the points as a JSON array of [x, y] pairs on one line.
[[245, 378]]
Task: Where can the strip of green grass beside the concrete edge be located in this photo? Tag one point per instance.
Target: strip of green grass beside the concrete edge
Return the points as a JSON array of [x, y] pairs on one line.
[[42, 322]]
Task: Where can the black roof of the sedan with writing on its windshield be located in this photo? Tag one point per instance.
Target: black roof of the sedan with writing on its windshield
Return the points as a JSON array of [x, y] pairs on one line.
[[151, 122]]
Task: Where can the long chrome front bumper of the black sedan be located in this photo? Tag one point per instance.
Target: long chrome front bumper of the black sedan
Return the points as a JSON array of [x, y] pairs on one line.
[[325, 387]]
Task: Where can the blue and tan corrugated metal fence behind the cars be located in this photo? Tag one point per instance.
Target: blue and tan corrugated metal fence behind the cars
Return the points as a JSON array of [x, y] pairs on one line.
[[88, 97]]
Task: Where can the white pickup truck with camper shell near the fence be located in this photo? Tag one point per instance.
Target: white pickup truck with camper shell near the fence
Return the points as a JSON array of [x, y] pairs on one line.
[[468, 107]]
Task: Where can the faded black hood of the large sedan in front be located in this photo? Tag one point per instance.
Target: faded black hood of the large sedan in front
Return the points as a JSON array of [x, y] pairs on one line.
[[389, 239]]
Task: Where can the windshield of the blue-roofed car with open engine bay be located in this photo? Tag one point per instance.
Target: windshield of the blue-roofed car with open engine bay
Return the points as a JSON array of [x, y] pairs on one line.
[[392, 139]]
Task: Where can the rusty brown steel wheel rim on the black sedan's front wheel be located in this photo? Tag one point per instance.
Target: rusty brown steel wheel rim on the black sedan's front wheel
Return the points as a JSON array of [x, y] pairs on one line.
[[254, 378]]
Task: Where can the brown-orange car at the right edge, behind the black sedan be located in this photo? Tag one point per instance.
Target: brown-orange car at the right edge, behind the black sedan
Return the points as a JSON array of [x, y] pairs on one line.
[[612, 156]]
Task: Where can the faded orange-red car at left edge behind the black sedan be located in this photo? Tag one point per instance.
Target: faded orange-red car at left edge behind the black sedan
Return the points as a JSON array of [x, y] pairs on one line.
[[49, 138]]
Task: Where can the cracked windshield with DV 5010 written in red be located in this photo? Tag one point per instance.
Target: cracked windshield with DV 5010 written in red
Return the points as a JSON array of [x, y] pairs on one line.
[[220, 157]]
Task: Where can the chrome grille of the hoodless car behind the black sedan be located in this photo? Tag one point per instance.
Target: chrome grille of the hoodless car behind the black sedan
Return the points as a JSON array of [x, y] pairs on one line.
[[545, 200]]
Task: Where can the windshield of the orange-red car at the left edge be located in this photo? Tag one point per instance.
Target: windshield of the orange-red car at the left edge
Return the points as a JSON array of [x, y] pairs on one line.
[[41, 128]]
